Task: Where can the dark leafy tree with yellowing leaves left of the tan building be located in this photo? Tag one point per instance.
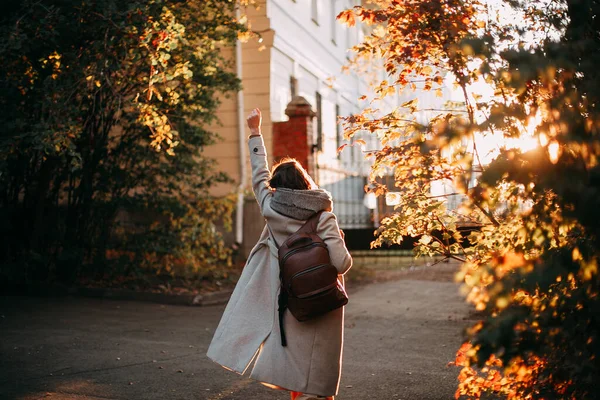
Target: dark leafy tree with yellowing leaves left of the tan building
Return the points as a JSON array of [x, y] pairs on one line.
[[105, 107]]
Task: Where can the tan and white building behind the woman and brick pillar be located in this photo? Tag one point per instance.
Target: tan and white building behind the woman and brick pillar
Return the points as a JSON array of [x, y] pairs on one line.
[[301, 39]]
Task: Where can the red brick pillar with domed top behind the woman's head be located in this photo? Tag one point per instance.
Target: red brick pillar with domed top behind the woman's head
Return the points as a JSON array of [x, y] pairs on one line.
[[294, 138]]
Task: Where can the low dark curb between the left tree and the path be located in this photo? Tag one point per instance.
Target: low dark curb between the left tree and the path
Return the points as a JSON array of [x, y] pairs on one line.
[[197, 300]]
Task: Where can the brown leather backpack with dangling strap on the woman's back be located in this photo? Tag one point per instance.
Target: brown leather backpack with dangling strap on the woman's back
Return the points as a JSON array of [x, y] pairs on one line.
[[309, 282]]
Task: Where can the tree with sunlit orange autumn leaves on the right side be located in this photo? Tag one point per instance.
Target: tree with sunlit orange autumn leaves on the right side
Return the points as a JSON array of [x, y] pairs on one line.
[[526, 72]]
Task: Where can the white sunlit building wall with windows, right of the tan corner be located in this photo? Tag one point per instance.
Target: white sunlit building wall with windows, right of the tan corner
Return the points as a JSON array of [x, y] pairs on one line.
[[312, 47]]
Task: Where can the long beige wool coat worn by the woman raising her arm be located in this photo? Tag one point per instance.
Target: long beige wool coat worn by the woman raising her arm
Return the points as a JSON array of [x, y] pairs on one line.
[[249, 328]]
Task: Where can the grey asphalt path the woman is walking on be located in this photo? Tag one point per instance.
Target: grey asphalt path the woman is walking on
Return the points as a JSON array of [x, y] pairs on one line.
[[399, 337]]
